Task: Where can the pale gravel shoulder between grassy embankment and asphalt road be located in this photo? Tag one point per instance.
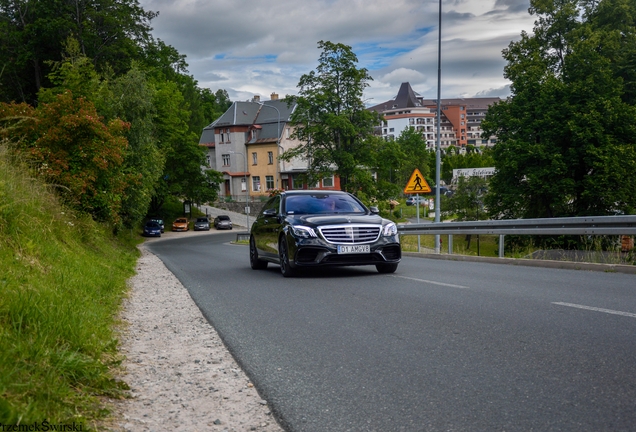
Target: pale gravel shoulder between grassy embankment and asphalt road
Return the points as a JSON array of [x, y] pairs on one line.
[[180, 374]]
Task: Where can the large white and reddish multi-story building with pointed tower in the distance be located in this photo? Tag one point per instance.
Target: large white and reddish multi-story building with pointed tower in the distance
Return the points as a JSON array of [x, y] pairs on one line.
[[460, 124]]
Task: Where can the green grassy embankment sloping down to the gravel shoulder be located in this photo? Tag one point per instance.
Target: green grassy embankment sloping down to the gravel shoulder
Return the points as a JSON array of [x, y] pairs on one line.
[[62, 280]]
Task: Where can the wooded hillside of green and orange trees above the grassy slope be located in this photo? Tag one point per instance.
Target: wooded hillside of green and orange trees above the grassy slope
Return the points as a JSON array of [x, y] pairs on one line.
[[103, 110]]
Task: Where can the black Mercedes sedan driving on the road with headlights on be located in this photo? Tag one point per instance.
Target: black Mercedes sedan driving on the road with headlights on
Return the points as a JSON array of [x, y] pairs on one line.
[[314, 228]]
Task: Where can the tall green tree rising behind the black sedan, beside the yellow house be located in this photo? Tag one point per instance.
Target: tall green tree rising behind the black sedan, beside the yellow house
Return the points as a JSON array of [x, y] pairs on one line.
[[330, 118]]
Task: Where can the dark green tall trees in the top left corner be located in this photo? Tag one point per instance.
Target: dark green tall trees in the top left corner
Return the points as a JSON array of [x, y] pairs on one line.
[[32, 34]]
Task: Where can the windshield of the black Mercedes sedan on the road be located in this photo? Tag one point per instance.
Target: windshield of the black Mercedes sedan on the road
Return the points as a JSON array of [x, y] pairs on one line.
[[322, 204]]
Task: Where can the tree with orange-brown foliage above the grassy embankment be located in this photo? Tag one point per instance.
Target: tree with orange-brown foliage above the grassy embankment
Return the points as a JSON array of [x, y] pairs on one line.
[[72, 149]]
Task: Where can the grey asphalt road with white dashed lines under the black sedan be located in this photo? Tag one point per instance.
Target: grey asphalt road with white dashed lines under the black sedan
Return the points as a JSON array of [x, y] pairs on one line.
[[438, 346]]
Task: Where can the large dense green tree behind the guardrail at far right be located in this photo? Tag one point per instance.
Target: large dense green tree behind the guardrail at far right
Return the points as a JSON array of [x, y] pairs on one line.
[[566, 135]]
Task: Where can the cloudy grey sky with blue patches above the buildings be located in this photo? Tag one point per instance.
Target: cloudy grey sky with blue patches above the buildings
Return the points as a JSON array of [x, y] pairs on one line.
[[255, 47]]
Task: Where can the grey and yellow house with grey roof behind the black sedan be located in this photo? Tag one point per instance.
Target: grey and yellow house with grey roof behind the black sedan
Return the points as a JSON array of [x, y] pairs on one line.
[[245, 144]]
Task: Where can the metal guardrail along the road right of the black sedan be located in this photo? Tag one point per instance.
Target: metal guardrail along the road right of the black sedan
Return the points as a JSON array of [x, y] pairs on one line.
[[586, 225]]
